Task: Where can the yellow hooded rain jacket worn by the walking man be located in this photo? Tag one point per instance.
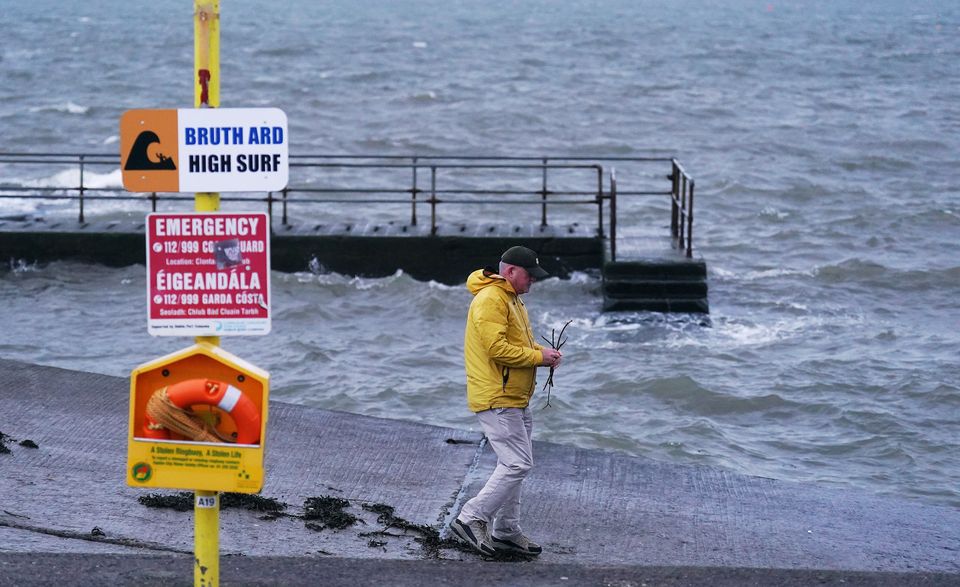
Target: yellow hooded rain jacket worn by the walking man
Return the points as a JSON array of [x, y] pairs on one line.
[[499, 350]]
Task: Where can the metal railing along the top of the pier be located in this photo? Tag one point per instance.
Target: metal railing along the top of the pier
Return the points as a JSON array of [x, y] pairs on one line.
[[565, 188]]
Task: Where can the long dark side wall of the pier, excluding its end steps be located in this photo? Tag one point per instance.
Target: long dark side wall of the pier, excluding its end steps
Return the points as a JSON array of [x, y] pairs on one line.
[[363, 249]]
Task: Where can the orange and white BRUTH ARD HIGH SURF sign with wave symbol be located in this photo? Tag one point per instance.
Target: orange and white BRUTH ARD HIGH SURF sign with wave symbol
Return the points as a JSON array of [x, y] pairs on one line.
[[204, 150]]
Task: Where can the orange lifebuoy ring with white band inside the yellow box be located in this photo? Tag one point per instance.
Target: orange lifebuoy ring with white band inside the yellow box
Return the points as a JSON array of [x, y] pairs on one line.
[[208, 392]]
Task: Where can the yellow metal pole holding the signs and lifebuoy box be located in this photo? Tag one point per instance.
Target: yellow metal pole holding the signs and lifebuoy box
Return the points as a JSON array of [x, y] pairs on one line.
[[206, 53]]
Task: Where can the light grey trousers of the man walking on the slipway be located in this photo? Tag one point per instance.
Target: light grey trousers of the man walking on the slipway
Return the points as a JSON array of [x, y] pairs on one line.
[[510, 434]]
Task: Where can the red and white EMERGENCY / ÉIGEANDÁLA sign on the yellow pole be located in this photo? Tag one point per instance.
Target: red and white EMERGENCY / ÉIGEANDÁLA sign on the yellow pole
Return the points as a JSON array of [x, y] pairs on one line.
[[209, 274]]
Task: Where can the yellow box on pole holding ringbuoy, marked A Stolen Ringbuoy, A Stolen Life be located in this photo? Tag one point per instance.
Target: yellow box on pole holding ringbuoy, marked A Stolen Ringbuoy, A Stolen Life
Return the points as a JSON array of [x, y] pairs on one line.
[[198, 421]]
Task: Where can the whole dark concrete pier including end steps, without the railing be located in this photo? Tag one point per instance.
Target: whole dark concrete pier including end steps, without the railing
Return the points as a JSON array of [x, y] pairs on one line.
[[660, 279]]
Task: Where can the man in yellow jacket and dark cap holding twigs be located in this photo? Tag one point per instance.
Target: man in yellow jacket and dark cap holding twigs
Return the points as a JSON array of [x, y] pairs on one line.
[[501, 357]]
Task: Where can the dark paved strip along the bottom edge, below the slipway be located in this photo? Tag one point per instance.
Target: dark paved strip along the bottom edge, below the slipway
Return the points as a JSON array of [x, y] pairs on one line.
[[167, 571]]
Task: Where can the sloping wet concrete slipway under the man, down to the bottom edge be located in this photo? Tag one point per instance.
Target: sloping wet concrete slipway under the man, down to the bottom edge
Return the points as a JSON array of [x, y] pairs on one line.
[[67, 516]]
